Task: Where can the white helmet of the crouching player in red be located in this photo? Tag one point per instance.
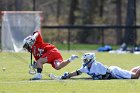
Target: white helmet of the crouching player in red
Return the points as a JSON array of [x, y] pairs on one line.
[[28, 42]]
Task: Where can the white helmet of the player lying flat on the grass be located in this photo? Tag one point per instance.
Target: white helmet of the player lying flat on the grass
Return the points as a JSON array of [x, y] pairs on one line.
[[88, 57]]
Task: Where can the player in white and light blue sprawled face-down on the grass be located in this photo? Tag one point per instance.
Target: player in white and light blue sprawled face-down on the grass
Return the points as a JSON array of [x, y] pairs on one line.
[[98, 71]]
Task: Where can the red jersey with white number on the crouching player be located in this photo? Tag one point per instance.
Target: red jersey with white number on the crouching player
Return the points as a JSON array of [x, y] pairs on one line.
[[39, 48]]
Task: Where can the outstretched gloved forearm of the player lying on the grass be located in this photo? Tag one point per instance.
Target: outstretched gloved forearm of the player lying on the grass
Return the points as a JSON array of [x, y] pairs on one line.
[[67, 75]]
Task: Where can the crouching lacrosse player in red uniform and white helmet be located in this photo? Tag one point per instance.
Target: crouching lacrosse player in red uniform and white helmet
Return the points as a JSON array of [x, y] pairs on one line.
[[44, 53]]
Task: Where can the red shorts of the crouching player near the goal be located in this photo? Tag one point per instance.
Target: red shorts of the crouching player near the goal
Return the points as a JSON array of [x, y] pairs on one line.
[[53, 57]]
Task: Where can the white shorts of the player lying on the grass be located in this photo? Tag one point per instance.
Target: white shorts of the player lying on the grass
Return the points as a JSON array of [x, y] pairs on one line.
[[119, 73]]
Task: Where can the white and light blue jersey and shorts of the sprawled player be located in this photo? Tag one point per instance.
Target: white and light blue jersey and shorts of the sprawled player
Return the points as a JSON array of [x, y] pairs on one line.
[[99, 71]]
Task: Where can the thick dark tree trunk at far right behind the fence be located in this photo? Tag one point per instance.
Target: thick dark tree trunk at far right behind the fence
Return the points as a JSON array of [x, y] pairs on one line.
[[130, 34]]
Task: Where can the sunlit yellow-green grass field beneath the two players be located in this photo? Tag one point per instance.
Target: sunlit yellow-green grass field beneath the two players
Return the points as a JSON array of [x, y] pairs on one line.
[[15, 79]]
